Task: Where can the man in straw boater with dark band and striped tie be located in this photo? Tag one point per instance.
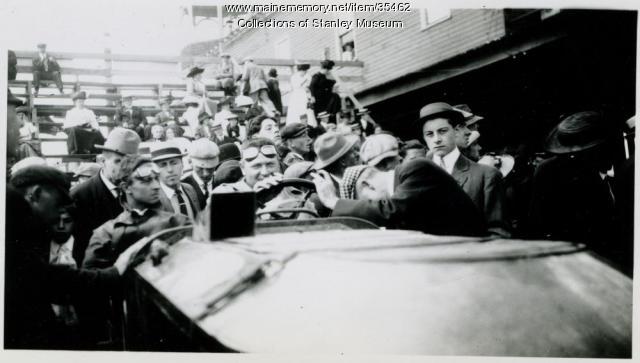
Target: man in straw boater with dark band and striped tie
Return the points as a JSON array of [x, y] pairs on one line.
[[175, 196]]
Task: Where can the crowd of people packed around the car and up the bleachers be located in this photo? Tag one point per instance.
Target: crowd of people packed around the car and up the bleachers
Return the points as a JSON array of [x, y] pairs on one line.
[[67, 247]]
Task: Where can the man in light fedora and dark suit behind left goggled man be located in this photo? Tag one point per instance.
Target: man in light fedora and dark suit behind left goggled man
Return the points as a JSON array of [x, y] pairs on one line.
[[97, 198]]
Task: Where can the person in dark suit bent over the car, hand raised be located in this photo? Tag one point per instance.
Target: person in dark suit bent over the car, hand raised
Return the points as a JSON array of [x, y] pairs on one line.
[[417, 195]]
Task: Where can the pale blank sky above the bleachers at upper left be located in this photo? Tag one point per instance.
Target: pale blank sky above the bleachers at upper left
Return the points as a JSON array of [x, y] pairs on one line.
[[127, 27]]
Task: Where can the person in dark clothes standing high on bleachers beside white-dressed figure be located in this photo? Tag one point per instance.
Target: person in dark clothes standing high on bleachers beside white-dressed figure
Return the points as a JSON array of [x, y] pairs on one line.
[[322, 90]]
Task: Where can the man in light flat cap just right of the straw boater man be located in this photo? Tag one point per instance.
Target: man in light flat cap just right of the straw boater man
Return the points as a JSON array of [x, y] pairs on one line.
[[204, 155]]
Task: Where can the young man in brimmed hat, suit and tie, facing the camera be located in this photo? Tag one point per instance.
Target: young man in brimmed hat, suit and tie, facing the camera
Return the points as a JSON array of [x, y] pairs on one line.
[[441, 126]]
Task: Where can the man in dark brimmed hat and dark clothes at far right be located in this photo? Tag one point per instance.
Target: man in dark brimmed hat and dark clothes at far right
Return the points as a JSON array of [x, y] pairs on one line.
[[572, 196]]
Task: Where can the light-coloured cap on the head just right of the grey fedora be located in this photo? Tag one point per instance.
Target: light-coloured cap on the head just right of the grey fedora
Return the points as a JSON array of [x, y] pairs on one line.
[[381, 152]]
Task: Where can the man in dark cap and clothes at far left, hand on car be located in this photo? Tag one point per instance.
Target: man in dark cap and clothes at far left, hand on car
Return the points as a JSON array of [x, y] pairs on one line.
[[36, 196]]
